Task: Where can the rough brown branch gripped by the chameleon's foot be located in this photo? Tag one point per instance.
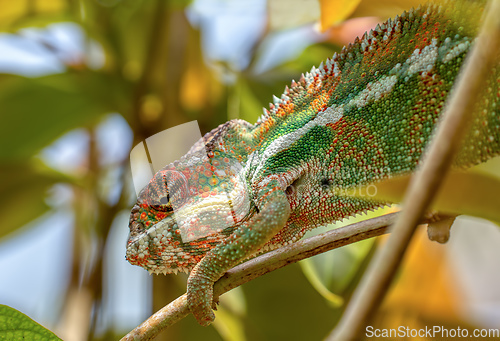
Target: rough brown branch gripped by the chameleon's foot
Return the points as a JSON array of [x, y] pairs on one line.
[[256, 267]]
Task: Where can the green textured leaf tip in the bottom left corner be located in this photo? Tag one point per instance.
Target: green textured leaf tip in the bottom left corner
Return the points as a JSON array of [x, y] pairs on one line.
[[14, 325]]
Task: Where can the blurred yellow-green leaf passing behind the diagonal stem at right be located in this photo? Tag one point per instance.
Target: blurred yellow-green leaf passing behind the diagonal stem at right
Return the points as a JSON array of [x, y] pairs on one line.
[[470, 193]]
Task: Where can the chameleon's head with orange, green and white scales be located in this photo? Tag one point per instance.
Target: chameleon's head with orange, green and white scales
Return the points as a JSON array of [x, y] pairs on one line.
[[183, 212]]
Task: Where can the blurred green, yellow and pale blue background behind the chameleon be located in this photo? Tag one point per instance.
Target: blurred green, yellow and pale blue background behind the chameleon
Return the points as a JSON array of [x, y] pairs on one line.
[[82, 82]]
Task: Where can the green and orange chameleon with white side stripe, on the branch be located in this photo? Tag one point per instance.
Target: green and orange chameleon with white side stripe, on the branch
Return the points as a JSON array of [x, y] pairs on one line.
[[362, 116]]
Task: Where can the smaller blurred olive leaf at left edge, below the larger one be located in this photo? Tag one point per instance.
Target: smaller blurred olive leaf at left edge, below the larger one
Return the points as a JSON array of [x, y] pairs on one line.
[[23, 194]]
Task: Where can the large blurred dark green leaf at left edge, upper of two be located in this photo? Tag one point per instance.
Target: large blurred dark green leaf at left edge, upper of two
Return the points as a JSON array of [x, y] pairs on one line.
[[35, 111]]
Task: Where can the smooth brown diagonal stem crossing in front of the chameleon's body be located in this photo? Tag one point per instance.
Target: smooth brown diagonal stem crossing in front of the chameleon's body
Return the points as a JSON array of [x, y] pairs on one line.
[[425, 182]]
